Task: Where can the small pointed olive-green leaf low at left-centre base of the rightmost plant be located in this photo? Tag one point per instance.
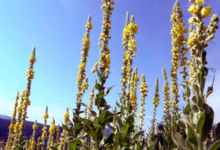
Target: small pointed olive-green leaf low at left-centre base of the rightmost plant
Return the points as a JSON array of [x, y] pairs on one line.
[[191, 135]]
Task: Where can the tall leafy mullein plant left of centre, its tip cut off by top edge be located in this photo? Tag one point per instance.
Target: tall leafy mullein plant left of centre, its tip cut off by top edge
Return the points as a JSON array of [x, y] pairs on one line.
[[96, 124]]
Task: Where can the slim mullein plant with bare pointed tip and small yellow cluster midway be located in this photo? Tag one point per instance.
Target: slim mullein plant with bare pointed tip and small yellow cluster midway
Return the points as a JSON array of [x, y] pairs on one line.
[[150, 142]]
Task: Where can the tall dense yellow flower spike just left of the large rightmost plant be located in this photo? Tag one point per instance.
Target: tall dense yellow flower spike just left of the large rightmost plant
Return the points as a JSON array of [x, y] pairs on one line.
[[178, 40]]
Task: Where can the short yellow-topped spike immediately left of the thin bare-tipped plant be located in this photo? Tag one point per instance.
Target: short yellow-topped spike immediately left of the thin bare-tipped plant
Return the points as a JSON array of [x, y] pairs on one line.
[[144, 92]]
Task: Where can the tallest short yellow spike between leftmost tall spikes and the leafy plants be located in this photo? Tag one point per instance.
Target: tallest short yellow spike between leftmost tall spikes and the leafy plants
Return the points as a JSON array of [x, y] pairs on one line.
[[44, 133]]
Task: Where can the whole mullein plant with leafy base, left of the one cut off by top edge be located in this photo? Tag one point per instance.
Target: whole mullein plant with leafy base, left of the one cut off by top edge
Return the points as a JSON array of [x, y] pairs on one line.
[[74, 130]]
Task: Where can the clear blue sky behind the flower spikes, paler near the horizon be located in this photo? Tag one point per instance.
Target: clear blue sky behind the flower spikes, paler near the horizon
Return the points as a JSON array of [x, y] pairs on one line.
[[56, 29]]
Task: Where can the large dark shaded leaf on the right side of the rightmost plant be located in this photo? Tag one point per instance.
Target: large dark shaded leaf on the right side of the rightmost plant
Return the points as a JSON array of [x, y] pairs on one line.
[[205, 122]]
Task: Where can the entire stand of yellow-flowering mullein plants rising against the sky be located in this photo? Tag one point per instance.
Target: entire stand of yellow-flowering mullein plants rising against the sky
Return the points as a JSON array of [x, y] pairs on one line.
[[190, 130]]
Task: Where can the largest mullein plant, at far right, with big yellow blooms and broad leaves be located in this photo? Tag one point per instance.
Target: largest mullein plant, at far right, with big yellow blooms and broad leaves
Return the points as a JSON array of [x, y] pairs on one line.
[[198, 115]]
